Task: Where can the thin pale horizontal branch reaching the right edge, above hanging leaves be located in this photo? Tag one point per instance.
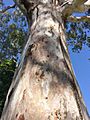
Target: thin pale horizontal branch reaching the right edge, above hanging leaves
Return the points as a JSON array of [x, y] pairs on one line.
[[79, 19]]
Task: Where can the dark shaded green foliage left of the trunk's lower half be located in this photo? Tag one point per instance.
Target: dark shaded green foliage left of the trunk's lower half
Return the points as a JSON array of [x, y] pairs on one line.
[[7, 68]]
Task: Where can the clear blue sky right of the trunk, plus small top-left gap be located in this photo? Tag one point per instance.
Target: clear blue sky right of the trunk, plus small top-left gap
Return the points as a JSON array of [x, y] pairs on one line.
[[81, 67]]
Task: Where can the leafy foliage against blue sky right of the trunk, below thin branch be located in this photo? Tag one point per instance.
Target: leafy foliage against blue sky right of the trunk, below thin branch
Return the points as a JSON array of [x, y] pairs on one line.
[[78, 35]]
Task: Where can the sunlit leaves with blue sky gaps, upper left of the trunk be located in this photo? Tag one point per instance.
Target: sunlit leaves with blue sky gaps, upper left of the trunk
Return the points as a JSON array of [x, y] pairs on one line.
[[13, 32]]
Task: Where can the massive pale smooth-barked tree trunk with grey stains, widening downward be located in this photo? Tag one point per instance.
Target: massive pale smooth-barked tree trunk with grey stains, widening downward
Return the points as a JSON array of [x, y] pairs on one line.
[[44, 86]]
